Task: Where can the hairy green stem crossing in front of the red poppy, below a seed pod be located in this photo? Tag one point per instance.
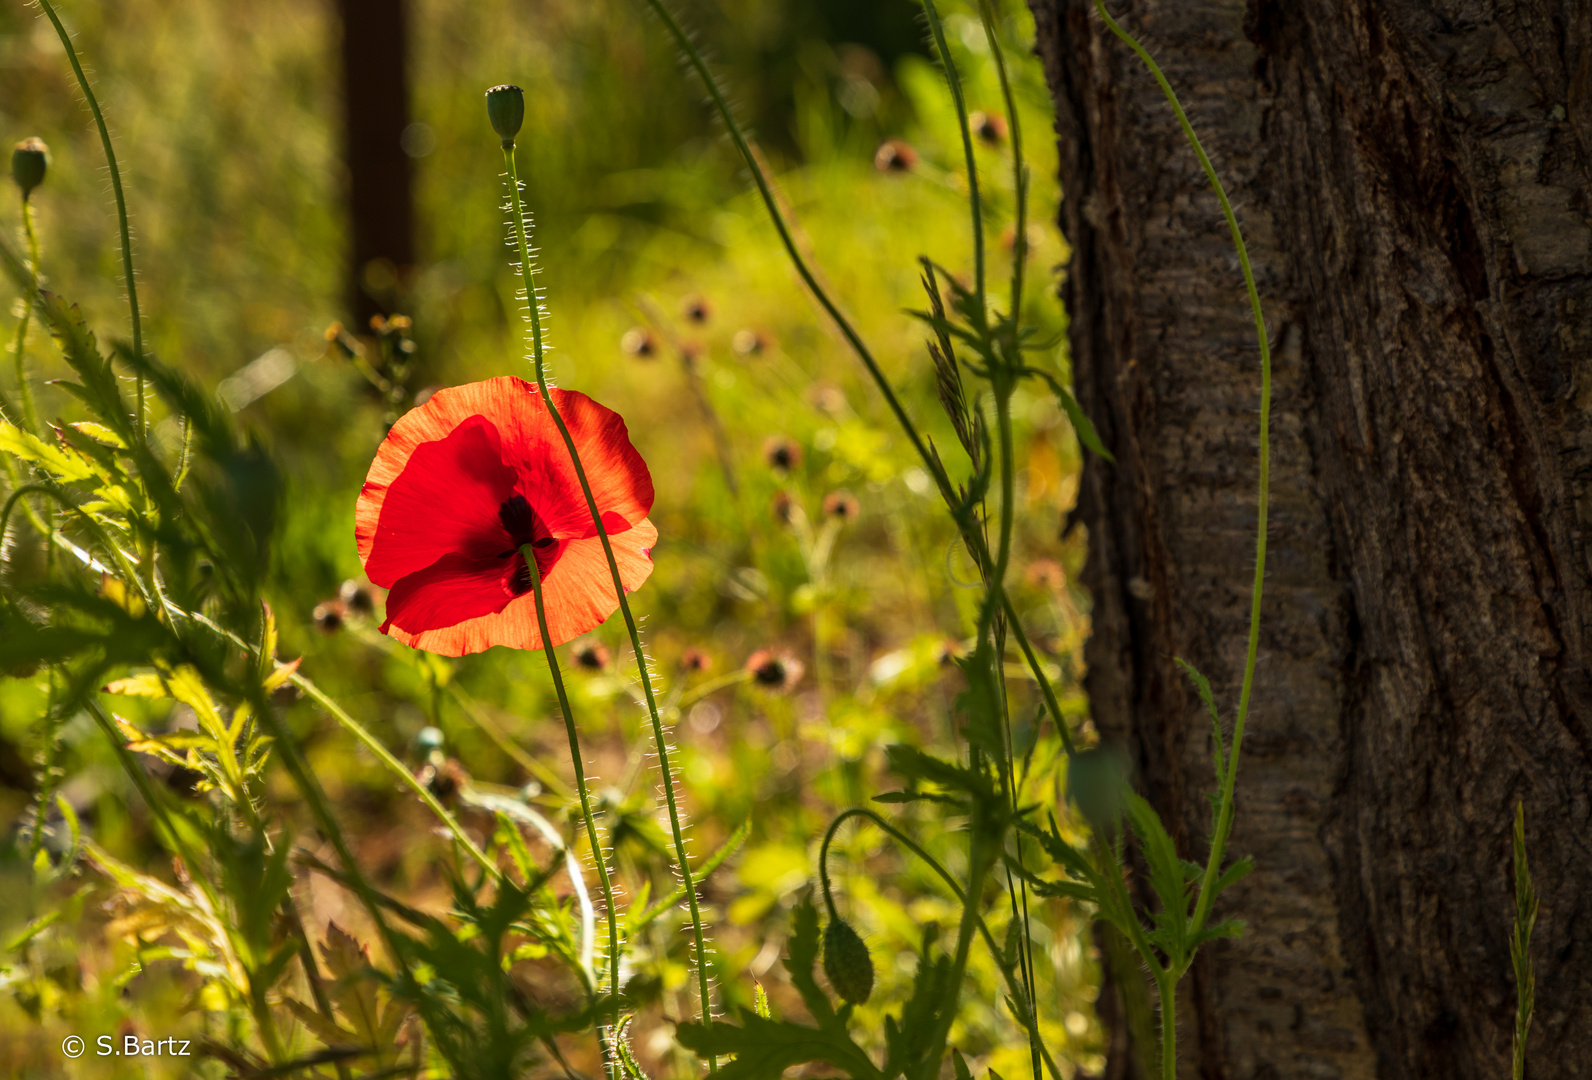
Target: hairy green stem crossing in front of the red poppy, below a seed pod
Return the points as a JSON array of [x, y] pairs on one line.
[[618, 587]]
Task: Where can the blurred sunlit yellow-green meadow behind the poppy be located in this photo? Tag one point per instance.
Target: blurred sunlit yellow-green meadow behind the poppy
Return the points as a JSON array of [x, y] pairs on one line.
[[810, 595]]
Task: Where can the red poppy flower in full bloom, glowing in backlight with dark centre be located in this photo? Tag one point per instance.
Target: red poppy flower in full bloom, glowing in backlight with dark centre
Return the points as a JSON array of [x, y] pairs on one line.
[[475, 474]]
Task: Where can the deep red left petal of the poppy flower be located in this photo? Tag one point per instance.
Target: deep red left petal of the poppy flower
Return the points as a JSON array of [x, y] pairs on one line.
[[443, 501]]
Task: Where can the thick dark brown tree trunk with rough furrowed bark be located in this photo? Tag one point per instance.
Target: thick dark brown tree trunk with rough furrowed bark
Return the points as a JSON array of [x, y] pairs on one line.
[[1413, 178]]
